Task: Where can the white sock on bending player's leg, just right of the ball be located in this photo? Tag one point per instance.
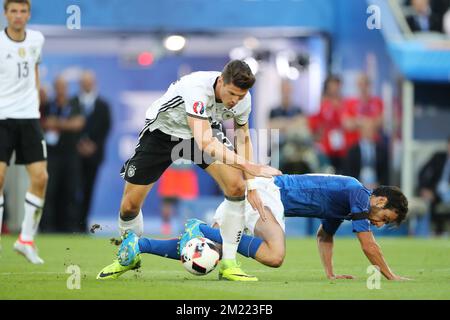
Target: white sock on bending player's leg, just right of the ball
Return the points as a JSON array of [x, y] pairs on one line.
[[231, 227]]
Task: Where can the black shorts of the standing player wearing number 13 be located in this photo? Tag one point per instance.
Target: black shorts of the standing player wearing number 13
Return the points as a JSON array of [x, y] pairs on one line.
[[23, 136]]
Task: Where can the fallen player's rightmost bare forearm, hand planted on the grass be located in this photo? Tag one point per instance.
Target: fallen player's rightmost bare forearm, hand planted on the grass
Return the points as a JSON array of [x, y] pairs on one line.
[[373, 252]]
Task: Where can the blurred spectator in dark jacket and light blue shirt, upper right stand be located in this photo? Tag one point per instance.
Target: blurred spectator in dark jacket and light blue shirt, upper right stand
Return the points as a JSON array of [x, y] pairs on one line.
[[423, 18]]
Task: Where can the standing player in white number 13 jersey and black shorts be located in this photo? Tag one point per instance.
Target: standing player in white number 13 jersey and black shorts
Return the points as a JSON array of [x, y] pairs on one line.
[[20, 130]]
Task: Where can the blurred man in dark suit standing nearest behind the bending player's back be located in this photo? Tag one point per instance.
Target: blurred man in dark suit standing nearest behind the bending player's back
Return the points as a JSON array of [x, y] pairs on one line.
[[91, 145]]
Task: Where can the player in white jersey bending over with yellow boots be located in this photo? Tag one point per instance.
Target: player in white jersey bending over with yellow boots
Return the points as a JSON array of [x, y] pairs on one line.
[[185, 123]]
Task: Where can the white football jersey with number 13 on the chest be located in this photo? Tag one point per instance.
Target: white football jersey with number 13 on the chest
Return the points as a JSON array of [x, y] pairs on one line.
[[19, 97]]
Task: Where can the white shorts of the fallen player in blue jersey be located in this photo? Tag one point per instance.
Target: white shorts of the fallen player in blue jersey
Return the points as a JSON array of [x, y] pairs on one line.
[[270, 196]]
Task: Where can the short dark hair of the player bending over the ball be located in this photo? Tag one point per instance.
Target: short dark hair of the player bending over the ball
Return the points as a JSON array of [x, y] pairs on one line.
[[238, 73]]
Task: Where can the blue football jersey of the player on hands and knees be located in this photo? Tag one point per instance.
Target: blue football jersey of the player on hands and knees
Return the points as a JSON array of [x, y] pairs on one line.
[[331, 198]]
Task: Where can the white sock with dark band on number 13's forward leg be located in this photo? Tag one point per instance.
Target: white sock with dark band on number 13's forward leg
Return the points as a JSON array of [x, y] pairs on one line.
[[33, 214]]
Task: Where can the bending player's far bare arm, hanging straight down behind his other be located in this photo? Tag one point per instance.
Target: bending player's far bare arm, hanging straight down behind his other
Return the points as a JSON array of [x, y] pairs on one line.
[[244, 148]]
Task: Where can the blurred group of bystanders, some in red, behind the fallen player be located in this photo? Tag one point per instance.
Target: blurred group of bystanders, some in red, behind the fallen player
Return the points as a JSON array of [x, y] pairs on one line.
[[344, 137]]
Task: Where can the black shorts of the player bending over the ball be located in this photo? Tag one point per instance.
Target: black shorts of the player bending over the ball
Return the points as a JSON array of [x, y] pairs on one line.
[[156, 151]]
